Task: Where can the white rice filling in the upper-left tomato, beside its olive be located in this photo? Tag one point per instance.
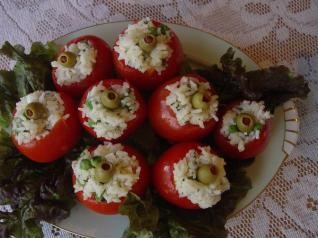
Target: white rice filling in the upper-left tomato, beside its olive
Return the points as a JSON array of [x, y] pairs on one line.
[[85, 60]]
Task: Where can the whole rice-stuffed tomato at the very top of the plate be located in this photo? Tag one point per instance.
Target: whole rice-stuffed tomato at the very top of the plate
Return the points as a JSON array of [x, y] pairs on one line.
[[147, 53]]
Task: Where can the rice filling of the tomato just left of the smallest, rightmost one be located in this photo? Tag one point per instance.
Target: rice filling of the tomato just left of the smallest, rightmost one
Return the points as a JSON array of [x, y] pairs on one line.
[[179, 101]]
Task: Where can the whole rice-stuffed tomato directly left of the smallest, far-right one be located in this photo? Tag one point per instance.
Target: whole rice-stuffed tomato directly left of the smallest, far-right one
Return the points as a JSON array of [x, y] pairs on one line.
[[184, 108]]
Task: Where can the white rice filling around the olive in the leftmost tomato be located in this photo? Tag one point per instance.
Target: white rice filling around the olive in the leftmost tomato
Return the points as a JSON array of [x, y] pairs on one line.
[[27, 130]]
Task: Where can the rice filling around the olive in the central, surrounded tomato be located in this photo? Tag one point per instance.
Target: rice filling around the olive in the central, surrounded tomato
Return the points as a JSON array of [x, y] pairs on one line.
[[106, 123]]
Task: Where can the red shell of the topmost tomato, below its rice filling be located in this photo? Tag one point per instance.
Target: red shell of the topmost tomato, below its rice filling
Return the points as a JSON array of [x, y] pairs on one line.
[[151, 79]]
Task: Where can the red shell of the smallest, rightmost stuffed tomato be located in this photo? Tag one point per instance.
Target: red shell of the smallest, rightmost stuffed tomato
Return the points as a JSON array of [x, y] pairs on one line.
[[252, 148]]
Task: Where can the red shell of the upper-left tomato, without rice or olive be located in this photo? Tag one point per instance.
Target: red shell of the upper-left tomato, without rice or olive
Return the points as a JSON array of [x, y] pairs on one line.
[[102, 68]]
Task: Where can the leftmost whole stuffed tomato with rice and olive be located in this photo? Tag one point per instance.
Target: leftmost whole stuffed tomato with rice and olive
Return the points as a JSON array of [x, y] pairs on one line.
[[45, 125]]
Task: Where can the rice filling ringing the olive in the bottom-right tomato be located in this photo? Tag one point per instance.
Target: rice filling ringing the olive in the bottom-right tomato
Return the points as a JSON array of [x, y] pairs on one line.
[[185, 178]]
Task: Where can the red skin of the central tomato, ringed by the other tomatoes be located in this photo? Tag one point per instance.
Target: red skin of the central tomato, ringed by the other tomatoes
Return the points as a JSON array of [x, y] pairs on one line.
[[132, 125]]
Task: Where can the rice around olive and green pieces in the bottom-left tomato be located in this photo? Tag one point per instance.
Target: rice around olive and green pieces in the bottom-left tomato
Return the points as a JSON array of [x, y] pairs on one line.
[[126, 173]]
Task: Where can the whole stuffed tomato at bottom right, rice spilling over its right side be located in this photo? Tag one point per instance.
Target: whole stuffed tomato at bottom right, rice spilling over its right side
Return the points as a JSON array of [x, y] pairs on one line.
[[190, 175]]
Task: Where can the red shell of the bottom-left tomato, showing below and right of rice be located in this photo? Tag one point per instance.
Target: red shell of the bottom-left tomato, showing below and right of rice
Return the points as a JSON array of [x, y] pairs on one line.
[[138, 188]]
